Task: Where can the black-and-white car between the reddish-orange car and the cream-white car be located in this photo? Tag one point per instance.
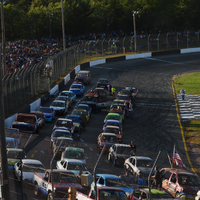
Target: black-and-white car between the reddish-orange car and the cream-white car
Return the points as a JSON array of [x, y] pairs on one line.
[[118, 153]]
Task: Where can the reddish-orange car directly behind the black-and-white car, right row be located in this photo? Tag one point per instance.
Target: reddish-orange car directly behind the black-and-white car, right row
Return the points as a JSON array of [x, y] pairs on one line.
[[107, 140]]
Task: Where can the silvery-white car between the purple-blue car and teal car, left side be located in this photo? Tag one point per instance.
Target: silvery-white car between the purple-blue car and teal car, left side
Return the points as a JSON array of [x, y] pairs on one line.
[[60, 107]]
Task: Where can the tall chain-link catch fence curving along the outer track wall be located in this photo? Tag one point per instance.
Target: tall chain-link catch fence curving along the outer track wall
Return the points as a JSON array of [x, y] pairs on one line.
[[21, 87]]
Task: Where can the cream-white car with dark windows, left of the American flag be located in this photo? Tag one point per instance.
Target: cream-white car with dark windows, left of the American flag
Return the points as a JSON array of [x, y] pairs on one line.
[[139, 166]]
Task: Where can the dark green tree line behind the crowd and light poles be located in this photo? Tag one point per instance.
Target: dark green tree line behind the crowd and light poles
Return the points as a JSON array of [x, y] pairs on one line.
[[33, 19]]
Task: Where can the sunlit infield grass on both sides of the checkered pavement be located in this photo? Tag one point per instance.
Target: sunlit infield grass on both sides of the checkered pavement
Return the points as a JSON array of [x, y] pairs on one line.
[[190, 83]]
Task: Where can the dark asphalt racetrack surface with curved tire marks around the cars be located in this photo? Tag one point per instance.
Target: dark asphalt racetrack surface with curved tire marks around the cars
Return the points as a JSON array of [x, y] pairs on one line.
[[154, 127]]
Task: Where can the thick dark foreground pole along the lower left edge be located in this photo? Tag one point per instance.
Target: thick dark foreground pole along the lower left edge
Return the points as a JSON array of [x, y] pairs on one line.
[[5, 190]]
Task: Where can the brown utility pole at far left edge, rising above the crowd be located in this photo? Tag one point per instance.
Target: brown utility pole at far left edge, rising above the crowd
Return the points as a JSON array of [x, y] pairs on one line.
[[3, 39]]
